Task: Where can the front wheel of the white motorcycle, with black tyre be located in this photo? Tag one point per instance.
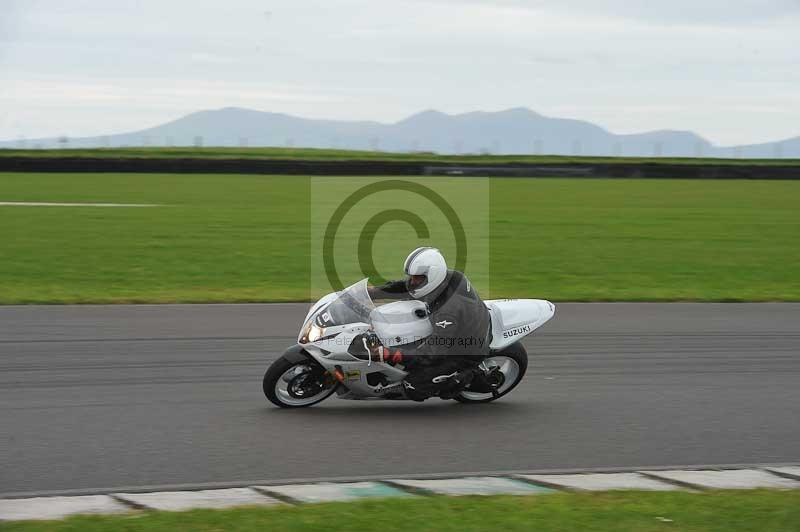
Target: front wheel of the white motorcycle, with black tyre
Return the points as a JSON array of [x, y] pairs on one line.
[[290, 384]]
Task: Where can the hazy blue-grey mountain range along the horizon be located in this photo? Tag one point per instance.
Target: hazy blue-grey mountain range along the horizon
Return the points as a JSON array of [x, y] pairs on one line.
[[513, 131]]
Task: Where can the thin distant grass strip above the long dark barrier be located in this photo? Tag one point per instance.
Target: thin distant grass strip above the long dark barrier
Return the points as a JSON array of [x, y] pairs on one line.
[[212, 152]]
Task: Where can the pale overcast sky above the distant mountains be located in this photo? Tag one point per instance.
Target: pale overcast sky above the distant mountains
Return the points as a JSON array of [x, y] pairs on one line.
[[728, 70]]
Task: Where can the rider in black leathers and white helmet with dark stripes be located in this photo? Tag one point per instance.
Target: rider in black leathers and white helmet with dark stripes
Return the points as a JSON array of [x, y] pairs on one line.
[[444, 361]]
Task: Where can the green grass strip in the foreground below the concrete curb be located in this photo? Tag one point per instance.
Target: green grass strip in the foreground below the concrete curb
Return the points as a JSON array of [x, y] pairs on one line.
[[732, 511]]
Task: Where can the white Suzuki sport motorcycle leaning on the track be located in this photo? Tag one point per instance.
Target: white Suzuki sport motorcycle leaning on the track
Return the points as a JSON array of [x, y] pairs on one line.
[[345, 343]]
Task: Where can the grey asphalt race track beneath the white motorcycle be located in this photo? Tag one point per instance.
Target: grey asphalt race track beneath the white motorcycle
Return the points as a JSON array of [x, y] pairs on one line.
[[100, 397]]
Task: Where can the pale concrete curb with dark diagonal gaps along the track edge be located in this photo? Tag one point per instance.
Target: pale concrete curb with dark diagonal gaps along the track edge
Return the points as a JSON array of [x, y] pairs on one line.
[[56, 507]]
